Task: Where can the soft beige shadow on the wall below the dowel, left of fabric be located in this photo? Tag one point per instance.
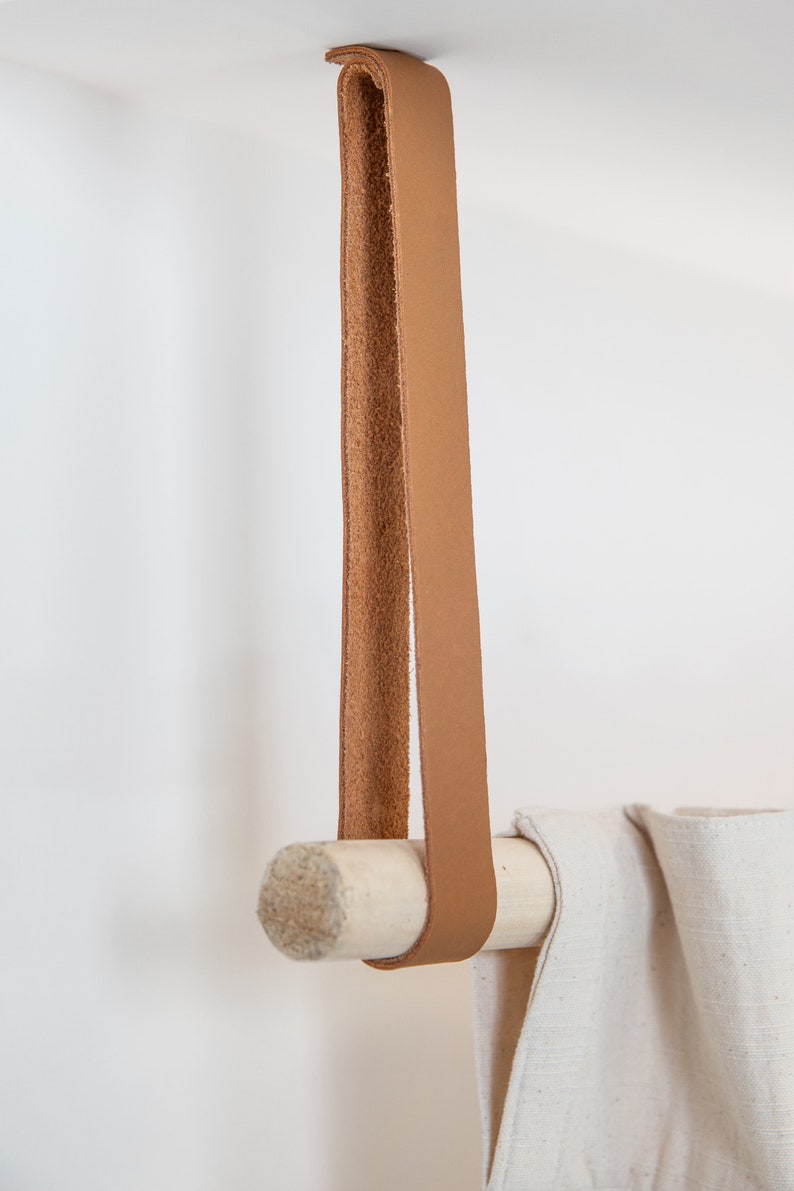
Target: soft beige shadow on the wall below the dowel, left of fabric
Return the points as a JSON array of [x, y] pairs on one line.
[[398, 1071]]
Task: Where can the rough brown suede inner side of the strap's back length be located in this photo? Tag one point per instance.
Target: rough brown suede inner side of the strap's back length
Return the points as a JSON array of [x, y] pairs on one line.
[[374, 754]]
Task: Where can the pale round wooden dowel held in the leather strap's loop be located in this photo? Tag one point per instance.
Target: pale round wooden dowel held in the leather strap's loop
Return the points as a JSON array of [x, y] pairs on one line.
[[368, 899]]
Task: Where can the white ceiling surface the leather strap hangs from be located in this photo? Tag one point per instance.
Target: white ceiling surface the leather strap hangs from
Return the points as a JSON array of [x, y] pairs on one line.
[[662, 127]]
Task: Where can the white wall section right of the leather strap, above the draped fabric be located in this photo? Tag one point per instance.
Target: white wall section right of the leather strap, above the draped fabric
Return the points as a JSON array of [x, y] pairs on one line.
[[633, 434]]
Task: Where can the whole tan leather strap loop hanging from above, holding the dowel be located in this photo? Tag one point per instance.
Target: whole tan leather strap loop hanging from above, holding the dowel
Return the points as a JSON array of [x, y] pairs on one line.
[[408, 496]]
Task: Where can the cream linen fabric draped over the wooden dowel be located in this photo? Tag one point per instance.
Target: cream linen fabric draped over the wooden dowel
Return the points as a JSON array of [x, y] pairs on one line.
[[651, 1042]]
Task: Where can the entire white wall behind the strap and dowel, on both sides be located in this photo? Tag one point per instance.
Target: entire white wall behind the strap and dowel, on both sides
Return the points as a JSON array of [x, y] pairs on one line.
[[171, 540]]
